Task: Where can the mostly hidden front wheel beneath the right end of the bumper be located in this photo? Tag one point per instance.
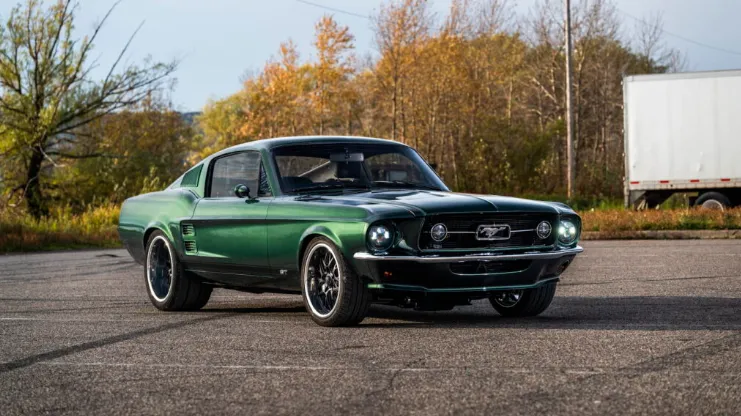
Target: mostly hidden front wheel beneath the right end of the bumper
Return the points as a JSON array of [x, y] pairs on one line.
[[521, 303]]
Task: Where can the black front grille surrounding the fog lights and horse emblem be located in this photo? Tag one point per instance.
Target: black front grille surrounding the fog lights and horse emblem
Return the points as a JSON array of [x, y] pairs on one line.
[[462, 230]]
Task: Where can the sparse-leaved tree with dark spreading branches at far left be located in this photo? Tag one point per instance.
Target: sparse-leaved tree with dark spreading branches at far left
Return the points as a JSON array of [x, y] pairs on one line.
[[47, 91]]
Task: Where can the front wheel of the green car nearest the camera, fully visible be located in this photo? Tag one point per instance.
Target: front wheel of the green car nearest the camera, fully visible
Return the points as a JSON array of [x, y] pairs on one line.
[[333, 294]]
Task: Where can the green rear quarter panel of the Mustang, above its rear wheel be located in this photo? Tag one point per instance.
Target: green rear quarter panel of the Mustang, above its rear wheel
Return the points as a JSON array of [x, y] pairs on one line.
[[162, 211]]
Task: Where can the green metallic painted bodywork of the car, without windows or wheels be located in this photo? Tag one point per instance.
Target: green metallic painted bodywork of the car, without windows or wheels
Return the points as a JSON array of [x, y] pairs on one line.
[[264, 236]]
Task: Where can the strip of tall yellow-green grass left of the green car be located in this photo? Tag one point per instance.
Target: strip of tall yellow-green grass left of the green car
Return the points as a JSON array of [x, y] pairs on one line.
[[94, 228]]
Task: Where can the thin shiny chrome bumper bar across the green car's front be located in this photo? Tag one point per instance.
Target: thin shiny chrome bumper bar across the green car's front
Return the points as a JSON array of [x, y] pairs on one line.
[[546, 255]]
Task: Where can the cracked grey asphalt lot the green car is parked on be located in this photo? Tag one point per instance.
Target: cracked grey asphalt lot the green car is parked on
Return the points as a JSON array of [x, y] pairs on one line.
[[637, 327]]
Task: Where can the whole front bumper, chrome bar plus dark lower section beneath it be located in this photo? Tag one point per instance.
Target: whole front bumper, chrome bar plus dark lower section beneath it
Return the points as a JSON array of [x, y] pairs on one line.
[[471, 273]]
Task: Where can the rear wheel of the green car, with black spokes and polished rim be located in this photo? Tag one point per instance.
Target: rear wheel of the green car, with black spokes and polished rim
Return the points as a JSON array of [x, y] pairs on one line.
[[169, 287]]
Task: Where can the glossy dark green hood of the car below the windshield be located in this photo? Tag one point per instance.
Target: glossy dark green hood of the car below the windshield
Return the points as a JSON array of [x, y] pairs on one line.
[[424, 202]]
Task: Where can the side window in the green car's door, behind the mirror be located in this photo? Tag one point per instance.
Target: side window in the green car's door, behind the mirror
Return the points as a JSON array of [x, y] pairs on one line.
[[242, 168]]
